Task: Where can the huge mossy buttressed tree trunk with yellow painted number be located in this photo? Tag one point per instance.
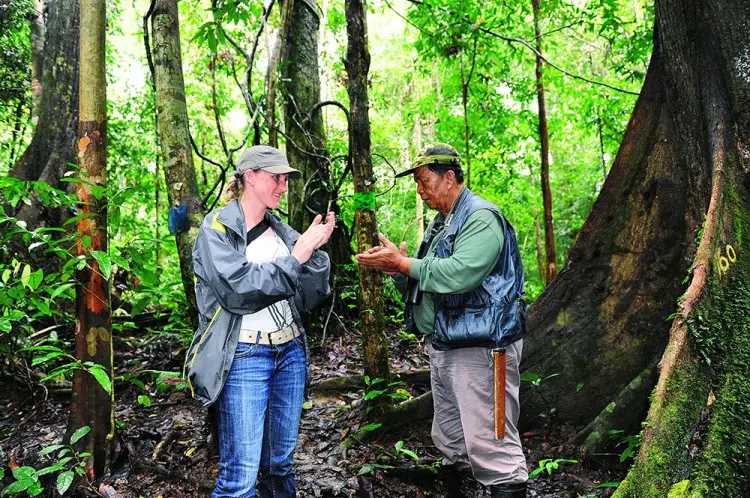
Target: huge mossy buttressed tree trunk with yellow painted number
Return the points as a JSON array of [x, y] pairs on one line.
[[602, 322]]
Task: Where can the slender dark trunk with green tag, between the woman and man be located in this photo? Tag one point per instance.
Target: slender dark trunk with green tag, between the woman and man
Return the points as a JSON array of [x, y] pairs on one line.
[[376, 359]]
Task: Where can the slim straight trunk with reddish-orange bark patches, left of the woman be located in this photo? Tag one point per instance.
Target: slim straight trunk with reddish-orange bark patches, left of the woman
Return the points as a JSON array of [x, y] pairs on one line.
[[92, 405]]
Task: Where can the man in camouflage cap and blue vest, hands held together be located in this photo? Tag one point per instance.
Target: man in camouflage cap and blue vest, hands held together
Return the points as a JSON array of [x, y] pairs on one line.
[[464, 289]]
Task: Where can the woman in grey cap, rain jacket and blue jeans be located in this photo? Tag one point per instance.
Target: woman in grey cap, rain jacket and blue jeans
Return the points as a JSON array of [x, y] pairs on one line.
[[254, 276]]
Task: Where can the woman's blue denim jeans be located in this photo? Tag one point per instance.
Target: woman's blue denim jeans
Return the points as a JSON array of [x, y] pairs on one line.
[[259, 415]]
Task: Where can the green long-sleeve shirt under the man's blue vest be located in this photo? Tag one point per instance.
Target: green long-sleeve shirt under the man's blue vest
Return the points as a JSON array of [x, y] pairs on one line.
[[475, 253]]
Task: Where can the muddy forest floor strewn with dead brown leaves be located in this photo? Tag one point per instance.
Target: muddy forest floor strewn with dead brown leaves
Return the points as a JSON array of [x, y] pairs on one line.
[[163, 450]]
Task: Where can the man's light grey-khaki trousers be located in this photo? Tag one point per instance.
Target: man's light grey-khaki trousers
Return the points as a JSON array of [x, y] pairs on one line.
[[463, 427]]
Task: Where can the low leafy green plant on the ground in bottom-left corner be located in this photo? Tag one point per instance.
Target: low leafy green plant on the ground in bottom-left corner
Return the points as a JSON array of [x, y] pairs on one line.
[[66, 462]]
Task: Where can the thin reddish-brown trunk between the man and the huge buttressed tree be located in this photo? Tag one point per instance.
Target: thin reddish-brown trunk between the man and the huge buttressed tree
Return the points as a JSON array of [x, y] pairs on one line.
[[549, 230]]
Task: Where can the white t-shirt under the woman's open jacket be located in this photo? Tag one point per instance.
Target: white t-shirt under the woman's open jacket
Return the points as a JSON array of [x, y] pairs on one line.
[[263, 249]]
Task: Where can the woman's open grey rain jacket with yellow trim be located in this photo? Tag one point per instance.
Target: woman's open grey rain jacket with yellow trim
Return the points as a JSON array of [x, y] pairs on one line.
[[228, 286]]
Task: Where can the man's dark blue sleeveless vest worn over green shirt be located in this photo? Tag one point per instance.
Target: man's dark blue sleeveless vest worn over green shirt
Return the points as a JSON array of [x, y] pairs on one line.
[[492, 315]]
